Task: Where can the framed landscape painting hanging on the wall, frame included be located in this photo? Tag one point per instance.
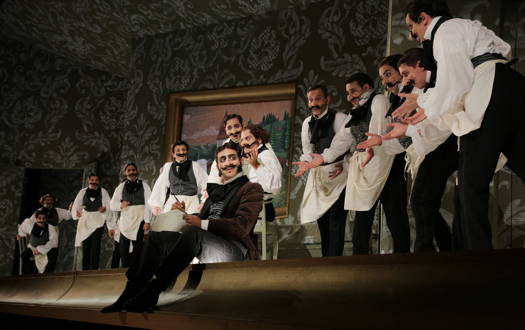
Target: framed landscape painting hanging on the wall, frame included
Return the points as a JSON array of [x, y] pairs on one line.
[[197, 118]]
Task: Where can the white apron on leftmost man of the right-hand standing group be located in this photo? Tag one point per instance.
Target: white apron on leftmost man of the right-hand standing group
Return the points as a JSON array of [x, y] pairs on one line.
[[321, 192]]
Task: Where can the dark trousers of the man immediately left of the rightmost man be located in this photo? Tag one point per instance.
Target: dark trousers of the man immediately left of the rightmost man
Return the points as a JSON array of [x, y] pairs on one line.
[[427, 192]]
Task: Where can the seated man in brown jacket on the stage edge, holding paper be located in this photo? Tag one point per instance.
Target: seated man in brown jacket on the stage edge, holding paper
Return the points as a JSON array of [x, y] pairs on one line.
[[220, 233]]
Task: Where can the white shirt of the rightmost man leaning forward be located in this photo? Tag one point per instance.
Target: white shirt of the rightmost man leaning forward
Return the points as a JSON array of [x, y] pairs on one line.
[[455, 43]]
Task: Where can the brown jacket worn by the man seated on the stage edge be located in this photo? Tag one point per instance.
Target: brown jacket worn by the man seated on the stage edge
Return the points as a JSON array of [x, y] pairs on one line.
[[239, 216]]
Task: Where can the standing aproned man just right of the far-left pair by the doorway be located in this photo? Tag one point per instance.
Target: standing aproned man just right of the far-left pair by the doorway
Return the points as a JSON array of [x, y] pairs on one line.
[[91, 209]]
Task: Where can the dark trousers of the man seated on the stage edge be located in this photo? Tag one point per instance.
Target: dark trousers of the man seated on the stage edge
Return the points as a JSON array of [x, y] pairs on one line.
[[167, 254]]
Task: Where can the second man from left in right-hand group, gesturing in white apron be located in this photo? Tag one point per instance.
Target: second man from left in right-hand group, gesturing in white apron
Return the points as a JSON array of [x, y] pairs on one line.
[[376, 181]]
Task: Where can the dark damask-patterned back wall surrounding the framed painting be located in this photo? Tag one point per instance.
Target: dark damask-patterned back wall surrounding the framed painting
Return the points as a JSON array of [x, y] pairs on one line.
[[324, 43]]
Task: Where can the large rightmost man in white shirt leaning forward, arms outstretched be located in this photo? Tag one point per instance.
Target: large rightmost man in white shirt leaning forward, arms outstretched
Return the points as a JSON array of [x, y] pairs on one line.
[[477, 97]]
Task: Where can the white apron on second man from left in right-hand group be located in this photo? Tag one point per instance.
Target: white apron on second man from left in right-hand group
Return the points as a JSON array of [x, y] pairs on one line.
[[364, 185]]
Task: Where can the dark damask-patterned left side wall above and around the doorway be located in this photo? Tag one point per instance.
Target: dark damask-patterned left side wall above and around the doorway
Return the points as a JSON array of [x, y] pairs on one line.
[[55, 114]]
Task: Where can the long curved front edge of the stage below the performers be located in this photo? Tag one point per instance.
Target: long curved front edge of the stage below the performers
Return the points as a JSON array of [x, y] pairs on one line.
[[476, 290]]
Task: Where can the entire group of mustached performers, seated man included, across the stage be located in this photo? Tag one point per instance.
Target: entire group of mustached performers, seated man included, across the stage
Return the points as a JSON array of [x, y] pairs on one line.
[[453, 105]]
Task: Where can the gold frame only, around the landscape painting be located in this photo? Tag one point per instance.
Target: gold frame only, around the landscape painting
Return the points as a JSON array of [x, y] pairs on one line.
[[253, 96]]
